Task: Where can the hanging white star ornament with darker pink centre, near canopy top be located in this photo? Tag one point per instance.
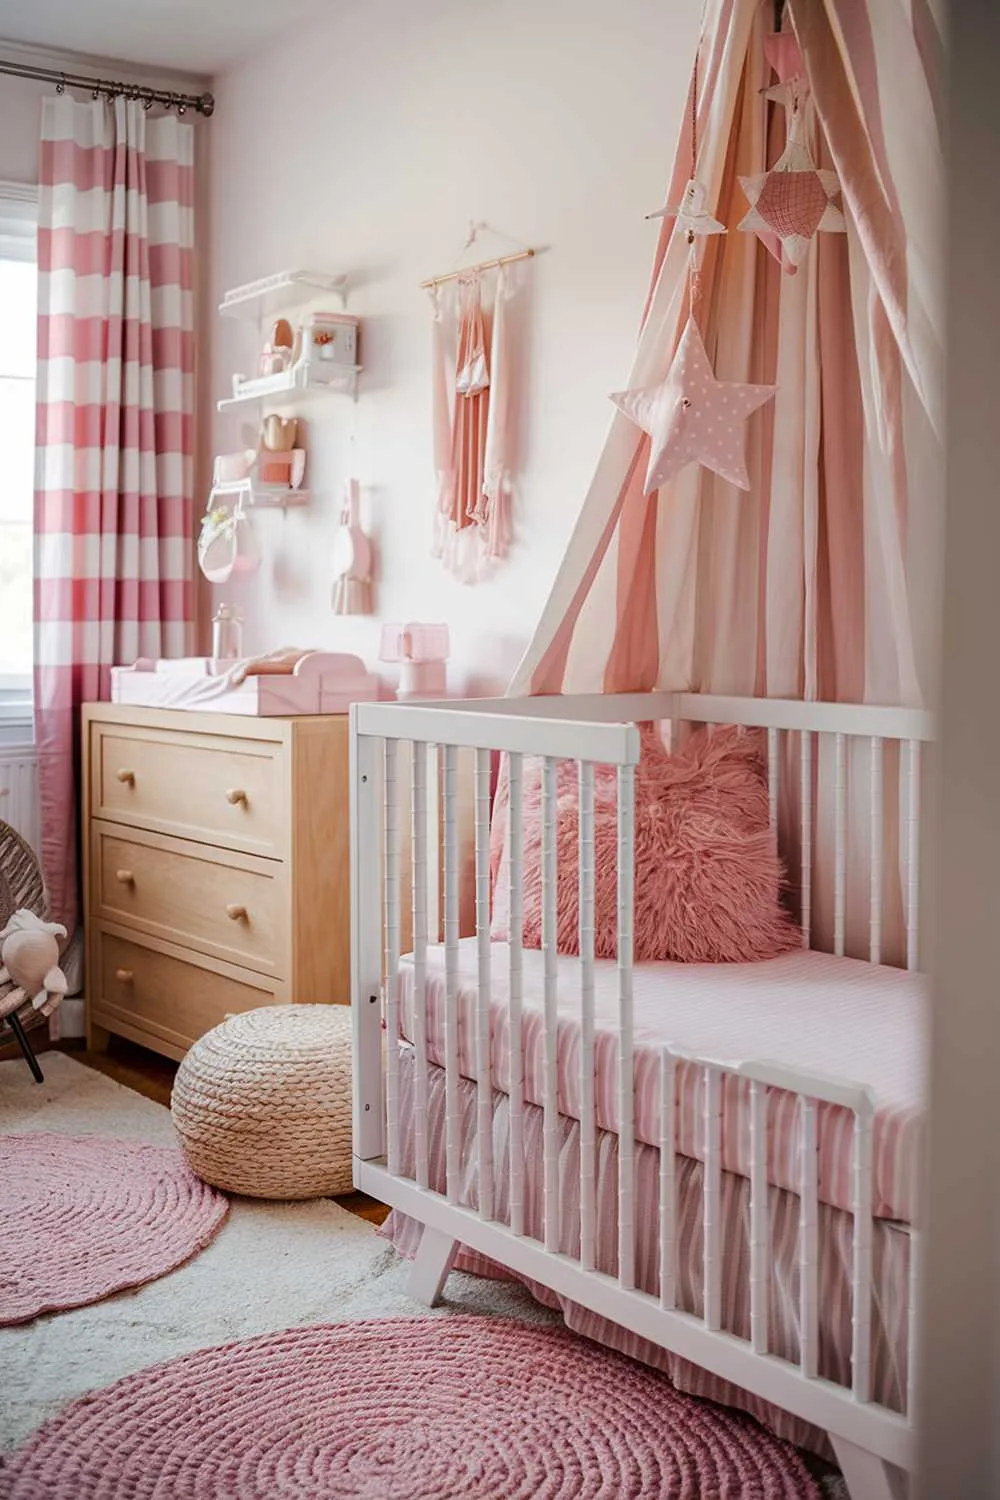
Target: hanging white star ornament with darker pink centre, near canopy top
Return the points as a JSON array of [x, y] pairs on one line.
[[794, 200]]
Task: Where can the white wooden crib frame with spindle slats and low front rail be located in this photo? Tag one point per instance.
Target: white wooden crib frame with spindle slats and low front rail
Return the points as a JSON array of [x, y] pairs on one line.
[[819, 757]]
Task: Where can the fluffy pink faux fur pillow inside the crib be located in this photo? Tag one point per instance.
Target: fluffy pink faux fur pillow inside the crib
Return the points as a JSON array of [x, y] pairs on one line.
[[708, 877]]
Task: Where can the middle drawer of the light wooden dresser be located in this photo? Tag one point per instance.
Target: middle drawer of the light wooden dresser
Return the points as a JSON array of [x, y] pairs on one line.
[[229, 905]]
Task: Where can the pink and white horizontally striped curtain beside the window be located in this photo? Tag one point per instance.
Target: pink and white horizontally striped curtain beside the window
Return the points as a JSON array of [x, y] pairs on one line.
[[115, 472]]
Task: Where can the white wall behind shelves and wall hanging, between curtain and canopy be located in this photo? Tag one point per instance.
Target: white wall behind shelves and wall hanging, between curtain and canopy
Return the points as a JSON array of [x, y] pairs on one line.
[[367, 145]]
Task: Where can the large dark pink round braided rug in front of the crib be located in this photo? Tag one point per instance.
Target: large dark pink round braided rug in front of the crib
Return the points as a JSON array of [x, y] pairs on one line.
[[403, 1409]]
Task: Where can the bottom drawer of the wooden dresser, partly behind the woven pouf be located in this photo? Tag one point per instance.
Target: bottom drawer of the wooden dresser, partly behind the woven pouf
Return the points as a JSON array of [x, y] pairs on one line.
[[161, 998]]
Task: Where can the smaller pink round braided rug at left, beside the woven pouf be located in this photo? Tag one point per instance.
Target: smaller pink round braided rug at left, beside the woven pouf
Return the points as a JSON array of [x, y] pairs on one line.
[[86, 1216]]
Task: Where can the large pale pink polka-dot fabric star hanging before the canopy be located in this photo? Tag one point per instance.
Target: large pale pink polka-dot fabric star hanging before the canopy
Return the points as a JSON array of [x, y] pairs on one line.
[[693, 418]]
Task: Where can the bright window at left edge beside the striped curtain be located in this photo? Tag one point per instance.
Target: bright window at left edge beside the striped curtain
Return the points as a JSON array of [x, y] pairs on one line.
[[19, 275]]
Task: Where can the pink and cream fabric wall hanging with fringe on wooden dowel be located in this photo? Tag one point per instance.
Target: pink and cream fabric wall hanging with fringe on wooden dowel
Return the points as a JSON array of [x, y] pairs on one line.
[[475, 389]]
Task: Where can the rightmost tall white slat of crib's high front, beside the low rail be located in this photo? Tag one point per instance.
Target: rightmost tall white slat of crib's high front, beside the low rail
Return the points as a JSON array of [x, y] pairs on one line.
[[626, 1045]]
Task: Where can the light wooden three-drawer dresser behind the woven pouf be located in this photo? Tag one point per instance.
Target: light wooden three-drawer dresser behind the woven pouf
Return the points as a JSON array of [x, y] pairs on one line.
[[217, 869]]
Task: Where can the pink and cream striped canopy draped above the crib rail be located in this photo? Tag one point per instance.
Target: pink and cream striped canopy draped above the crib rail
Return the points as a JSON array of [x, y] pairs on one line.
[[819, 581]]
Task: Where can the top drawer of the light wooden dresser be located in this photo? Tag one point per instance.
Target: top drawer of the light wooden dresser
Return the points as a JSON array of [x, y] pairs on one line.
[[211, 788]]
